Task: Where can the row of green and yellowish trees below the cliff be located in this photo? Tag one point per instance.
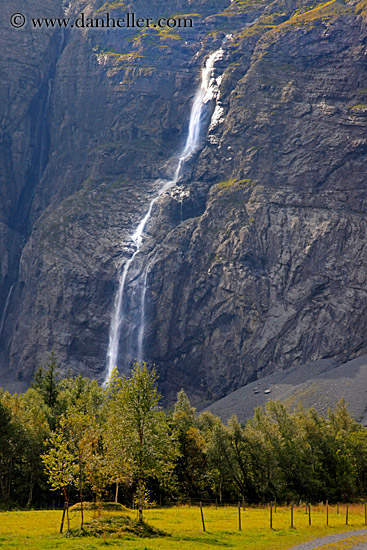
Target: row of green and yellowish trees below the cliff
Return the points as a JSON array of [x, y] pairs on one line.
[[68, 440]]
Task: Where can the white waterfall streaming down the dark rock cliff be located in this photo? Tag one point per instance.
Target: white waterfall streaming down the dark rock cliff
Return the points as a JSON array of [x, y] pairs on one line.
[[204, 93]]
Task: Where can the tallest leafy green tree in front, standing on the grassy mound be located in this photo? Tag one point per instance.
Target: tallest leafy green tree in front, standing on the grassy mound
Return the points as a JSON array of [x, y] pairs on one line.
[[140, 430]]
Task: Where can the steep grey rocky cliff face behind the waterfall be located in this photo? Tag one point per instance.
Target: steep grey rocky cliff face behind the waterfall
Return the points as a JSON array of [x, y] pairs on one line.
[[256, 260]]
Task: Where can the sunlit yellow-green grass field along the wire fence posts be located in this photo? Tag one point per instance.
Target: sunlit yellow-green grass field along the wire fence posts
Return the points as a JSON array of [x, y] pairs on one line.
[[39, 530]]
